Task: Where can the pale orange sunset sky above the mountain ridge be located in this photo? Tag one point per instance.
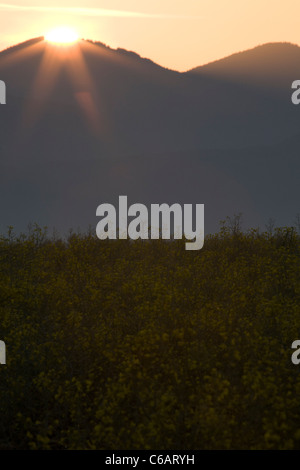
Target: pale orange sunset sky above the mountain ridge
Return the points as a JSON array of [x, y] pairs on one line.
[[179, 34]]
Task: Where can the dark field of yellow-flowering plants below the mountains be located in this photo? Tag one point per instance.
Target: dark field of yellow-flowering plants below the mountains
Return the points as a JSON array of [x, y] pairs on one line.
[[143, 345]]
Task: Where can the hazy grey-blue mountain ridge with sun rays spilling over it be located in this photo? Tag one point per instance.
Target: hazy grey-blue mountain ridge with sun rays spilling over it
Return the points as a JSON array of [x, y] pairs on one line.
[[86, 123]]
